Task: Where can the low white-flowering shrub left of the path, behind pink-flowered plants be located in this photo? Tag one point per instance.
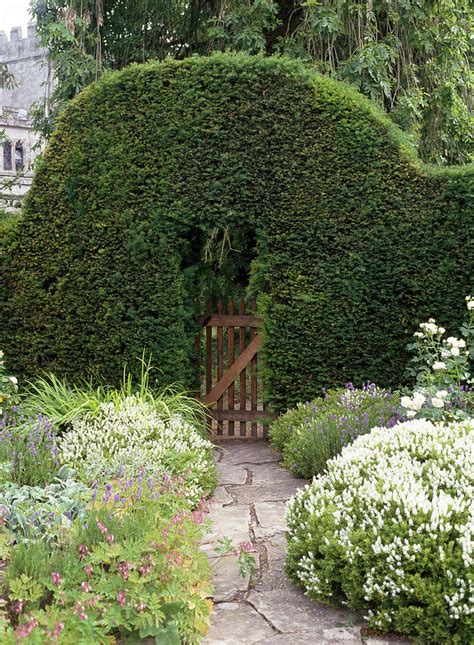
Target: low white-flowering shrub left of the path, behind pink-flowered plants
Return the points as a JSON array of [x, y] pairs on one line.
[[131, 436]]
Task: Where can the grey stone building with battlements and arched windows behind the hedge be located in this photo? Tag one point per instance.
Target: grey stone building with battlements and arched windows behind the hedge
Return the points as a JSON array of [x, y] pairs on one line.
[[28, 64]]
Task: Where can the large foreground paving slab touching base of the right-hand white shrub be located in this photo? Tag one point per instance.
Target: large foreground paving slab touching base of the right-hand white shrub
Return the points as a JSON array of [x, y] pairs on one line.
[[289, 611]]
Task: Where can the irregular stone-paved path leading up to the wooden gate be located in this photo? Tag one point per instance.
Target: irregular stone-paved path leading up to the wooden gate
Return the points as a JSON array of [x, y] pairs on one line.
[[249, 505]]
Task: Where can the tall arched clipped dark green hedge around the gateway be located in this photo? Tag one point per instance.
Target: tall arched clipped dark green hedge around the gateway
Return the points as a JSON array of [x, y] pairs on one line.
[[169, 182]]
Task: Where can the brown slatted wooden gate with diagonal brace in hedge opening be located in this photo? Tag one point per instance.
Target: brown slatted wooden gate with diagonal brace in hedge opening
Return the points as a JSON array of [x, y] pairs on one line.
[[227, 355]]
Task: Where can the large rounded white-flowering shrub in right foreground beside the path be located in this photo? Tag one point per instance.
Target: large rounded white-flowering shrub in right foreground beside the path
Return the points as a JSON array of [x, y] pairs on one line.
[[389, 530]]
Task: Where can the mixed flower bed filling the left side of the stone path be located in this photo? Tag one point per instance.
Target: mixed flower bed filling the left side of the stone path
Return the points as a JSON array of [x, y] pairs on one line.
[[101, 515]]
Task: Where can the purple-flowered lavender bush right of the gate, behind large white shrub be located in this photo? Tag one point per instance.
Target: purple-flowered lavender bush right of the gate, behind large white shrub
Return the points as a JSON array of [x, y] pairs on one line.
[[316, 431]]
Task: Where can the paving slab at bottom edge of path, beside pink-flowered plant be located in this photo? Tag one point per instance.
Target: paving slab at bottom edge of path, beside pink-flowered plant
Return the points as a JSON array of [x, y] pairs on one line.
[[234, 623]]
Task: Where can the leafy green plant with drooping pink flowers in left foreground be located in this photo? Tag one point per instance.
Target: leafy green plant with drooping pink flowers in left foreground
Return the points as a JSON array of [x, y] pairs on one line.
[[131, 568]]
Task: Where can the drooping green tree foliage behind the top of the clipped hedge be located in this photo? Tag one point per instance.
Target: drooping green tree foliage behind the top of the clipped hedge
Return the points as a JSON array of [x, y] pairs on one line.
[[414, 58]]
